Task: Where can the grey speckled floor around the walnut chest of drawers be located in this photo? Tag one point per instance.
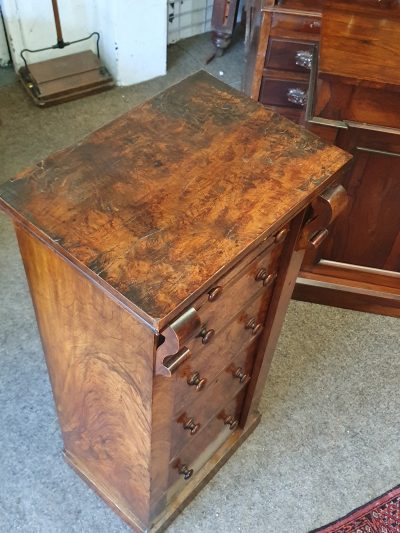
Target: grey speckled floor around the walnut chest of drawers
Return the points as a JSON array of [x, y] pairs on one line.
[[329, 437]]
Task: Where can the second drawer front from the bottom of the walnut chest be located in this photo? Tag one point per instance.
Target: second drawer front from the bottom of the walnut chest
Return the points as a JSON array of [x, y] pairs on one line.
[[189, 424]]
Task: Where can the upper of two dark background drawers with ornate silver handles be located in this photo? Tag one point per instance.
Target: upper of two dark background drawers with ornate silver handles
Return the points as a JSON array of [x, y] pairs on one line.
[[293, 56]]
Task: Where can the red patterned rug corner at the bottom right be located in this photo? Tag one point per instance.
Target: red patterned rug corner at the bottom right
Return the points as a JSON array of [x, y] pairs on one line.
[[381, 515]]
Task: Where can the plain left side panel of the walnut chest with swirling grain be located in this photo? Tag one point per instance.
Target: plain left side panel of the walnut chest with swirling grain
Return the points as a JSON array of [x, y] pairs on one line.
[[100, 364]]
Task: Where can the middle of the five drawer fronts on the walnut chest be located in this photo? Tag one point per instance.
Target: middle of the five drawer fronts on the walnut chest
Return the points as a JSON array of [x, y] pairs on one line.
[[194, 377]]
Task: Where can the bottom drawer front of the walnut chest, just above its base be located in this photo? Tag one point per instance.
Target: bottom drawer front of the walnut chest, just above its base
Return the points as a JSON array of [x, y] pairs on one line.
[[193, 456]]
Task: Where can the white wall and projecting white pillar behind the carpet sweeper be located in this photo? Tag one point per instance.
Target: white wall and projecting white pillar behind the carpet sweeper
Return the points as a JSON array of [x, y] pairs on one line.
[[133, 33]]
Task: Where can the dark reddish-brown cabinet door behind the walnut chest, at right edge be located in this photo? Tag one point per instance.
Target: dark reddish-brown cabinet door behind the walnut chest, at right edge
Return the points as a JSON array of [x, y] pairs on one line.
[[368, 233]]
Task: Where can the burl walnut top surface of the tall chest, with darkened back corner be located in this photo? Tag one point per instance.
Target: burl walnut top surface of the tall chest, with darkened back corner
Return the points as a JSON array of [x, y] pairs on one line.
[[167, 196]]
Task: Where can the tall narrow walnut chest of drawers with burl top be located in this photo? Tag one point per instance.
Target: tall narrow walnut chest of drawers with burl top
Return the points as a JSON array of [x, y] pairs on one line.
[[161, 253]]
